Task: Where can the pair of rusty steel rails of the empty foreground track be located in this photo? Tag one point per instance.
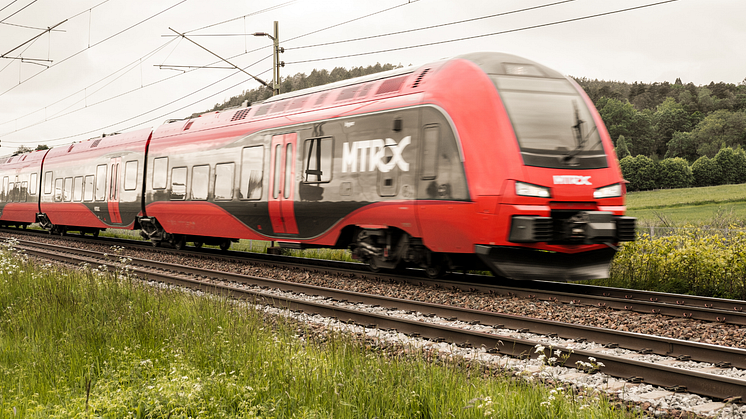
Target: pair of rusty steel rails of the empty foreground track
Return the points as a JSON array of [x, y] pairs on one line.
[[696, 382]]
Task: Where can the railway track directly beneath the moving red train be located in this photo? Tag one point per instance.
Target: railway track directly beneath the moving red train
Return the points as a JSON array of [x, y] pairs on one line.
[[646, 302]]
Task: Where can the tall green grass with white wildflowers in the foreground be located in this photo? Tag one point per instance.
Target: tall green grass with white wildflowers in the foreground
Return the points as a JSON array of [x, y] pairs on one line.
[[90, 343]]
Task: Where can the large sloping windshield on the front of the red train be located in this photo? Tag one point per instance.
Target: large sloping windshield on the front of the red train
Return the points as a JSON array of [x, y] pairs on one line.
[[552, 123]]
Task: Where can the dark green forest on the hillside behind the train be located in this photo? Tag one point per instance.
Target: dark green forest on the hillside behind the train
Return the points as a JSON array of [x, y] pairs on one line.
[[666, 135]]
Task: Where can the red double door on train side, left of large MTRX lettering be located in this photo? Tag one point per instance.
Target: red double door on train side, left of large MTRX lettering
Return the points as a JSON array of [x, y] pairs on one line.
[[282, 183]]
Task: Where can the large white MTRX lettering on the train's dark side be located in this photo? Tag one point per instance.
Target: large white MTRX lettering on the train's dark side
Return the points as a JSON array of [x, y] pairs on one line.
[[371, 154]]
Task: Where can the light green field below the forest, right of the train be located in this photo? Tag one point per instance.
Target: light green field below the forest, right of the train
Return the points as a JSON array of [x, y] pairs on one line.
[[723, 205]]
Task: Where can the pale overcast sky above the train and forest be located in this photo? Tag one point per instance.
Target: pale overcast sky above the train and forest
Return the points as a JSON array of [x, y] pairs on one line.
[[116, 65]]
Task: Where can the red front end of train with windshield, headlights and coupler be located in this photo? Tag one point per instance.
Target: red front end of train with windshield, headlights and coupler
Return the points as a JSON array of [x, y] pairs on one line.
[[560, 203]]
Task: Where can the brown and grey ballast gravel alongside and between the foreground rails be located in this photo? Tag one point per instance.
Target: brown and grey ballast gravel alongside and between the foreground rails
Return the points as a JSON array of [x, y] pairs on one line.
[[655, 402]]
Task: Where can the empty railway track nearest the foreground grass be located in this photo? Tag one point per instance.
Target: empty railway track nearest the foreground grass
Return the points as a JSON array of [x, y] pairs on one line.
[[487, 330]]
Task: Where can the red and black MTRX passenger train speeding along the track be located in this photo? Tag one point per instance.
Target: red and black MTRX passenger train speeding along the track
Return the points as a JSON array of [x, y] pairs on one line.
[[482, 161]]
